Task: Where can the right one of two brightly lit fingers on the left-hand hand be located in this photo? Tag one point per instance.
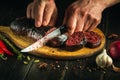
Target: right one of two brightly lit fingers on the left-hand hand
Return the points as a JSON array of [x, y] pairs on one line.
[[48, 11]]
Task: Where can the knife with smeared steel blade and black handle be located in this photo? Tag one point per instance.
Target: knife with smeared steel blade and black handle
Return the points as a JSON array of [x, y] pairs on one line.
[[41, 42]]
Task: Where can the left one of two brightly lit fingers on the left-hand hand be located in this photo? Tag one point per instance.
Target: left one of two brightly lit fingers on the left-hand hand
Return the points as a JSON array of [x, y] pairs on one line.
[[39, 9]]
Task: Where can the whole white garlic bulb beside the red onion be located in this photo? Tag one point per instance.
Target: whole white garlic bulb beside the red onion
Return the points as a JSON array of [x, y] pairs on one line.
[[103, 60]]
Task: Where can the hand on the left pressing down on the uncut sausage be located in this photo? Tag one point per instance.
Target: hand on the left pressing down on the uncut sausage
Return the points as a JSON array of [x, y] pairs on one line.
[[43, 11]]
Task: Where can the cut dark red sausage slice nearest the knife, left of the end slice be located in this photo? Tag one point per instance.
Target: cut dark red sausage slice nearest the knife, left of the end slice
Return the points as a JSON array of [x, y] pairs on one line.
[[75, 41]]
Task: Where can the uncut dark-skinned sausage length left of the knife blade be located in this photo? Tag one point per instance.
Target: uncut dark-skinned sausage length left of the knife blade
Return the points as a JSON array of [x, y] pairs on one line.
[[25, 27]]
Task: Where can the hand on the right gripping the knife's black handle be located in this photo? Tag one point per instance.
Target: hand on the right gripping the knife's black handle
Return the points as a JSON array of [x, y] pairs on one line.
[[83, 15]]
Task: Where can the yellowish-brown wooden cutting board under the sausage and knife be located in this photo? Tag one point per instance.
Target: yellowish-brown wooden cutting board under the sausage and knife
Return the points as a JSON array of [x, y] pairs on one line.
[[55, 53]]
